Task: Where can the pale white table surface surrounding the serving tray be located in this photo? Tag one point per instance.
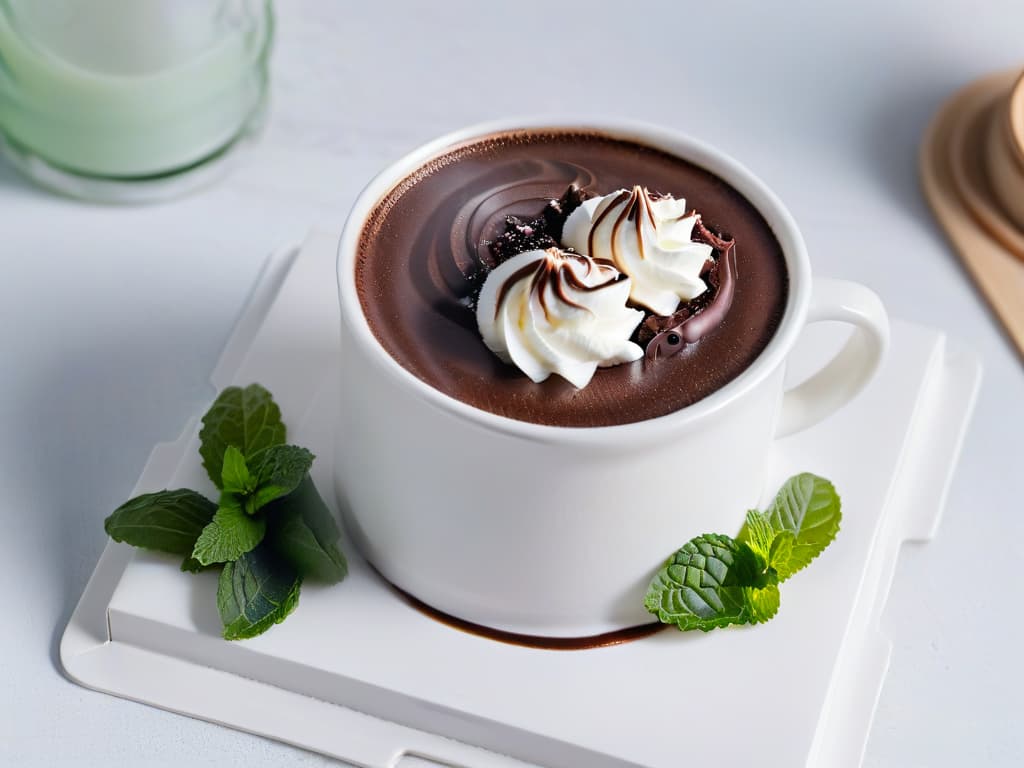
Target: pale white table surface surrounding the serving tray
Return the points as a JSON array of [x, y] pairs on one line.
[[112, 319]]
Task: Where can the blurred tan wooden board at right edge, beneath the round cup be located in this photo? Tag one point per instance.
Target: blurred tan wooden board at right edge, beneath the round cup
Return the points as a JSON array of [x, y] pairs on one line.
[[997, 272]]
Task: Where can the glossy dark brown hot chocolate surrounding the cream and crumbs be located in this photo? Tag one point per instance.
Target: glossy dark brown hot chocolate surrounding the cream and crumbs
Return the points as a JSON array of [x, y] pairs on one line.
[[421, 243]]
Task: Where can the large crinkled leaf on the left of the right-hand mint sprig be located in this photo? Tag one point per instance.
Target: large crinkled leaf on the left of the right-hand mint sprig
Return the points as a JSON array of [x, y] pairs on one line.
[[703, 586]]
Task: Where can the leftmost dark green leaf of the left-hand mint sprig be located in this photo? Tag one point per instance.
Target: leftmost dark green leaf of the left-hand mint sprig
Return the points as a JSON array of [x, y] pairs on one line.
[[166, 522]]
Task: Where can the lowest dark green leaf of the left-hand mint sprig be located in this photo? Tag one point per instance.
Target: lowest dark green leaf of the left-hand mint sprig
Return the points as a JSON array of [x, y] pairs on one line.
[[255, 592]]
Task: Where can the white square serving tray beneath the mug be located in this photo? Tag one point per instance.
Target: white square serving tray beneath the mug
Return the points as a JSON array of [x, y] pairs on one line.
[[359, 674]]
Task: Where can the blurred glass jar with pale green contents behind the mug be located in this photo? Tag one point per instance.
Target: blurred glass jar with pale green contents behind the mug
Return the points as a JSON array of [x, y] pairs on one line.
[[129, 101]]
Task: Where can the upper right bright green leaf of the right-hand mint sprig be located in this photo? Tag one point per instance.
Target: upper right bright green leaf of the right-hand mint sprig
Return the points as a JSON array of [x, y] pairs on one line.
[[809, 508]]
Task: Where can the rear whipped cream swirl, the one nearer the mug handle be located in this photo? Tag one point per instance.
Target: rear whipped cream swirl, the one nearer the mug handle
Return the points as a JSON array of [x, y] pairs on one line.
[[648, 238]]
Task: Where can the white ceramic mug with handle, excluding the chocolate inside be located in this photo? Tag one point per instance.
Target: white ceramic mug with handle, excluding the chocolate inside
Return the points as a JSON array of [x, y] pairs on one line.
[[557, 532]]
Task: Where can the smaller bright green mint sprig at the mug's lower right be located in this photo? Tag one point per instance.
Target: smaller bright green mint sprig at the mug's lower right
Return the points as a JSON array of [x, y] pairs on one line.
[[716, 581]]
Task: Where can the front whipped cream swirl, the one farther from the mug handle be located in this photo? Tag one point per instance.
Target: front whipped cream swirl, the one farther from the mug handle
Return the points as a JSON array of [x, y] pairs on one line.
[[557, 313]]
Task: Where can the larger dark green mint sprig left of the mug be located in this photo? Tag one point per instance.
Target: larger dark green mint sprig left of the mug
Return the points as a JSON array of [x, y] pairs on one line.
[[269, 532]]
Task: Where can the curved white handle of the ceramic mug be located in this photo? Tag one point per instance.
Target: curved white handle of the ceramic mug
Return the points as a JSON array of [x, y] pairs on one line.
[[855, 366]]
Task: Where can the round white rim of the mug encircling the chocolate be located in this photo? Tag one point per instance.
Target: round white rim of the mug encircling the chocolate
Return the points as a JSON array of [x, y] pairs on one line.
[[674, 143]]
